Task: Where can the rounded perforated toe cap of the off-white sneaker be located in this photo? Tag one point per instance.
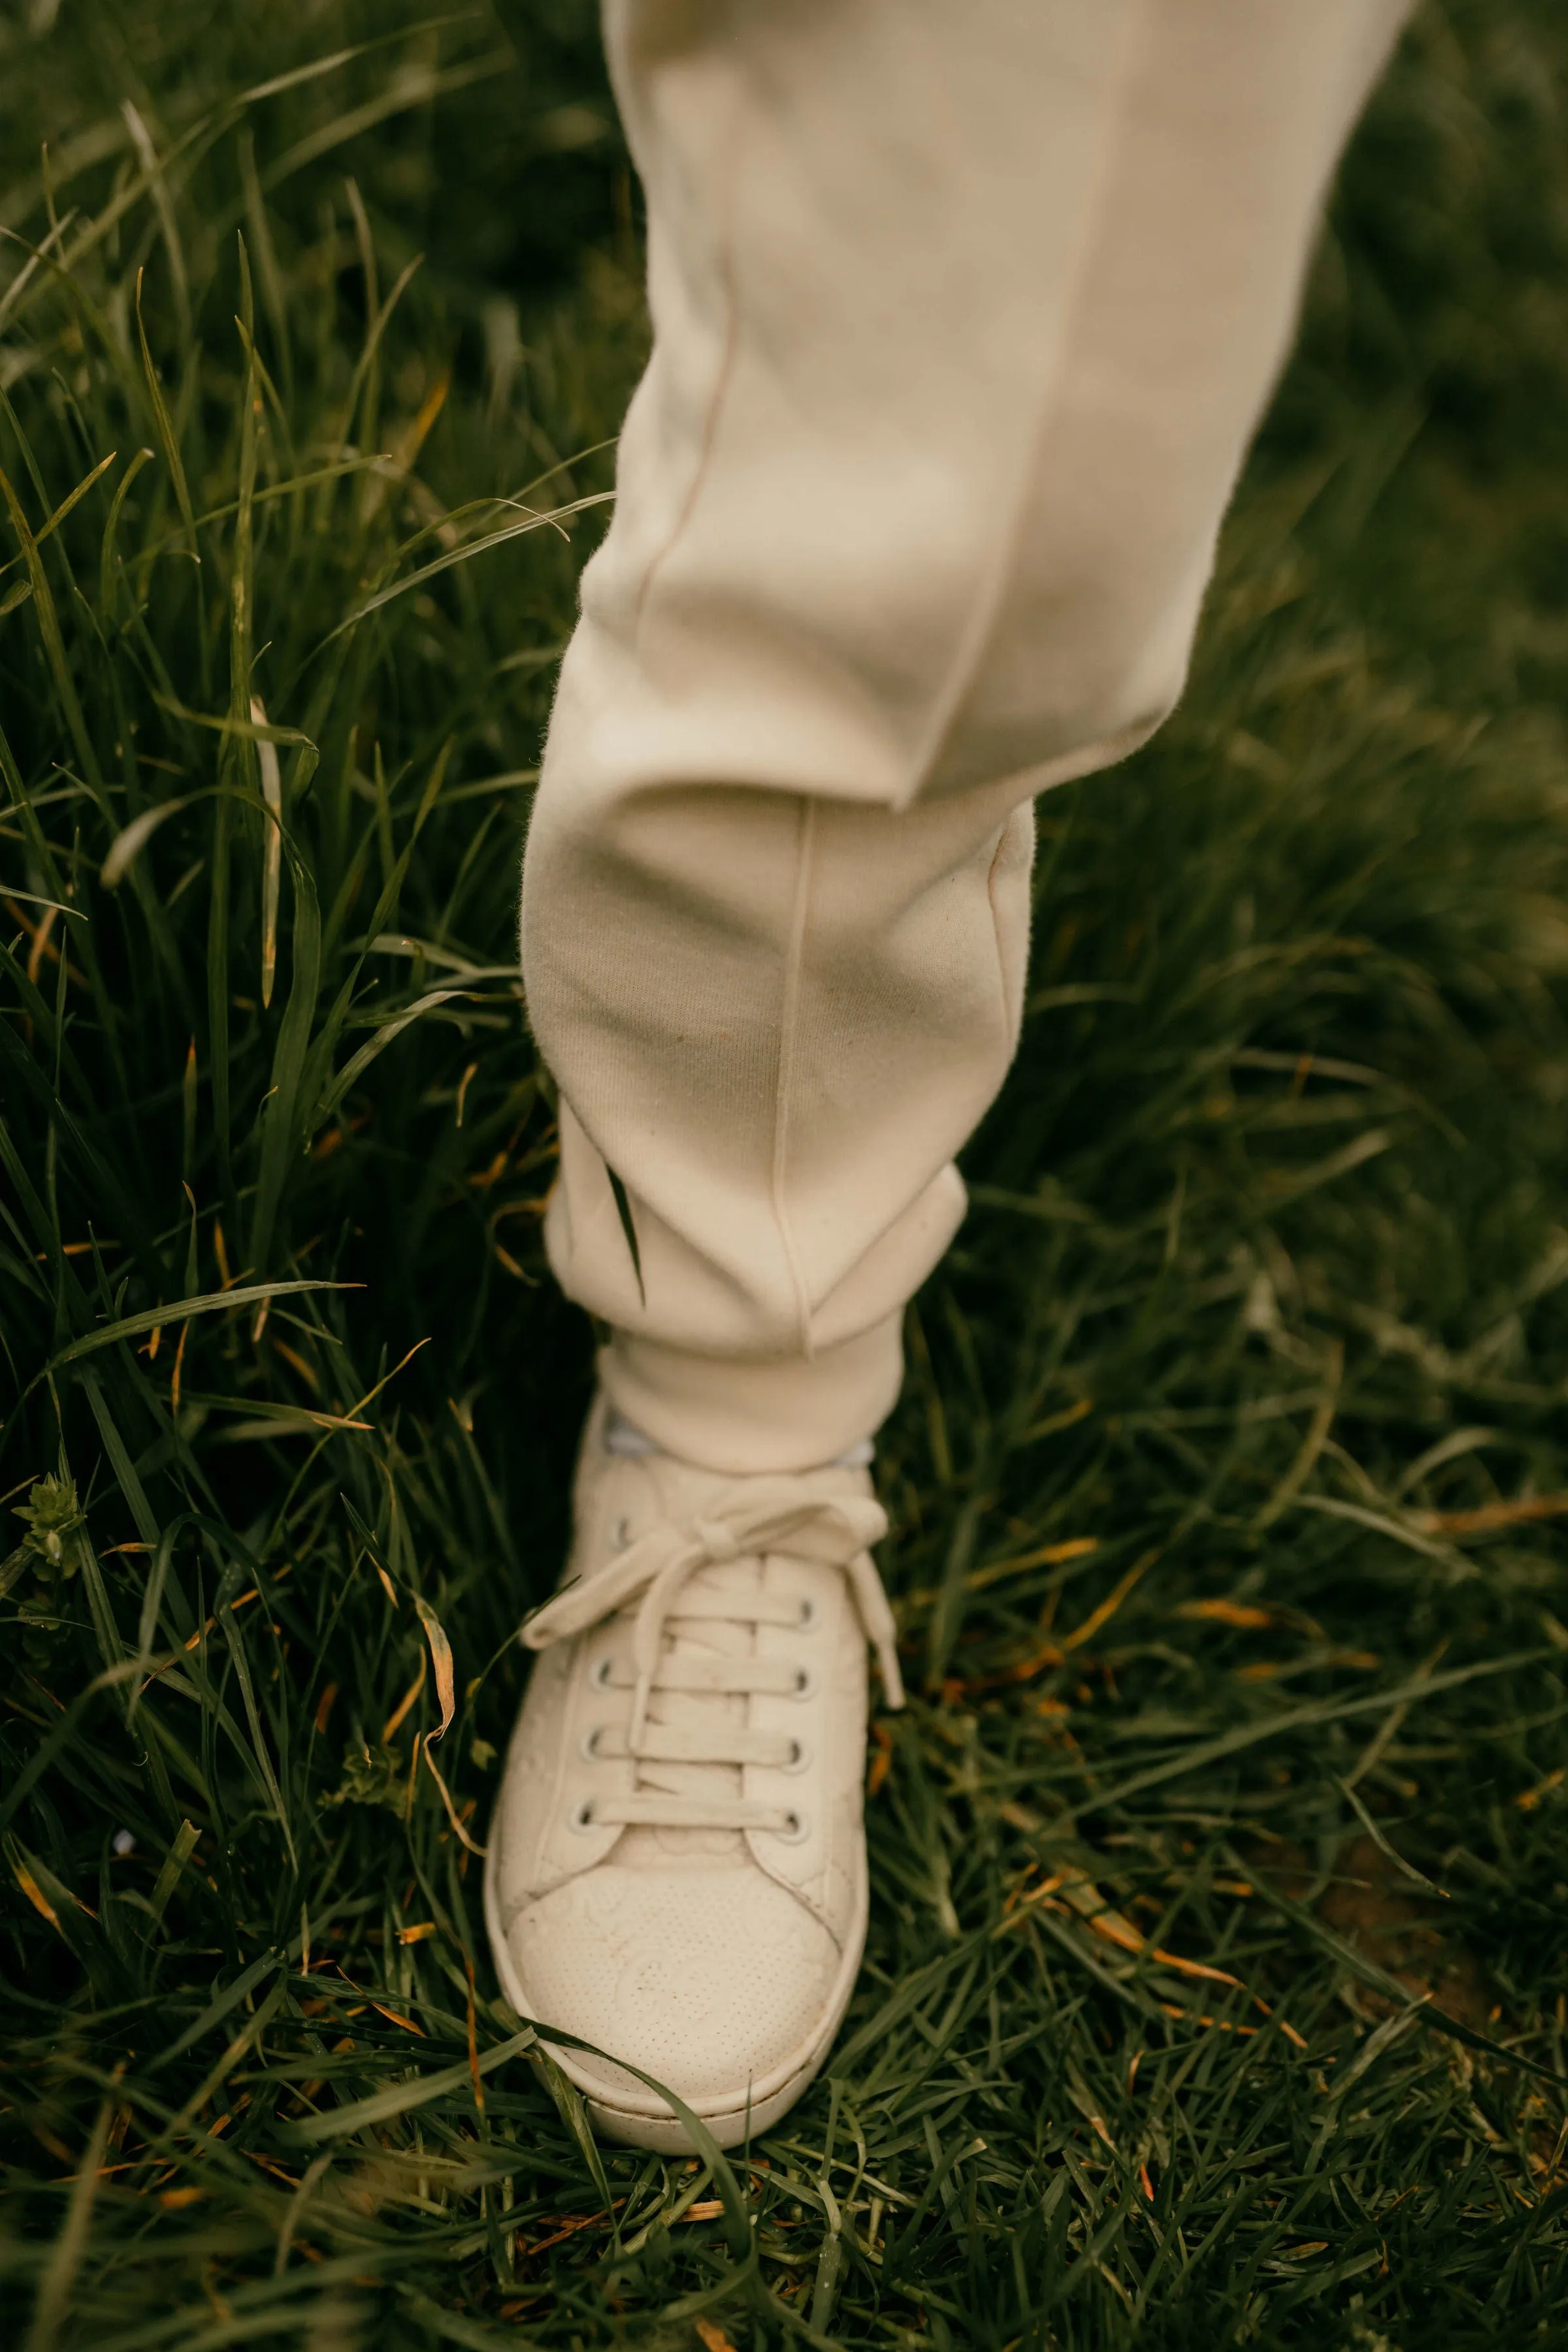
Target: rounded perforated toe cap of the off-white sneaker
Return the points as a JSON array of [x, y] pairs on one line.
[[706, 1979]]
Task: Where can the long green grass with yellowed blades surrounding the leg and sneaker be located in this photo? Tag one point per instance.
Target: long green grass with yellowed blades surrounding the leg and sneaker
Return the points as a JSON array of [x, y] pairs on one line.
[[1219, 1970]]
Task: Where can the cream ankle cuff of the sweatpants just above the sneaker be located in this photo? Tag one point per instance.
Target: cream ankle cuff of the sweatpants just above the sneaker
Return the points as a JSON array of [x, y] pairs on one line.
[[746, 1415]]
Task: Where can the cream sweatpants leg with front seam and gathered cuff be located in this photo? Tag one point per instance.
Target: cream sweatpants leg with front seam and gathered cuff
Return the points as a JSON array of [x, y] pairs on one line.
[[963, 319]]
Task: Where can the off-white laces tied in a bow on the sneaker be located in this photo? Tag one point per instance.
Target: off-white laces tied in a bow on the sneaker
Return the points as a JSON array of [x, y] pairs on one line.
[[746, 1523]]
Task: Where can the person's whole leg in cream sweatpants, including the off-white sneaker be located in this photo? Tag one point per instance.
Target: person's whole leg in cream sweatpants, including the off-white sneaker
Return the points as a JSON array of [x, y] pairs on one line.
[[963, 321]]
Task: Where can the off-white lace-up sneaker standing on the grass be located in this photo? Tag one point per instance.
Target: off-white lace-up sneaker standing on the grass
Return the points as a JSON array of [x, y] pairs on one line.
[[678, 1862]]
